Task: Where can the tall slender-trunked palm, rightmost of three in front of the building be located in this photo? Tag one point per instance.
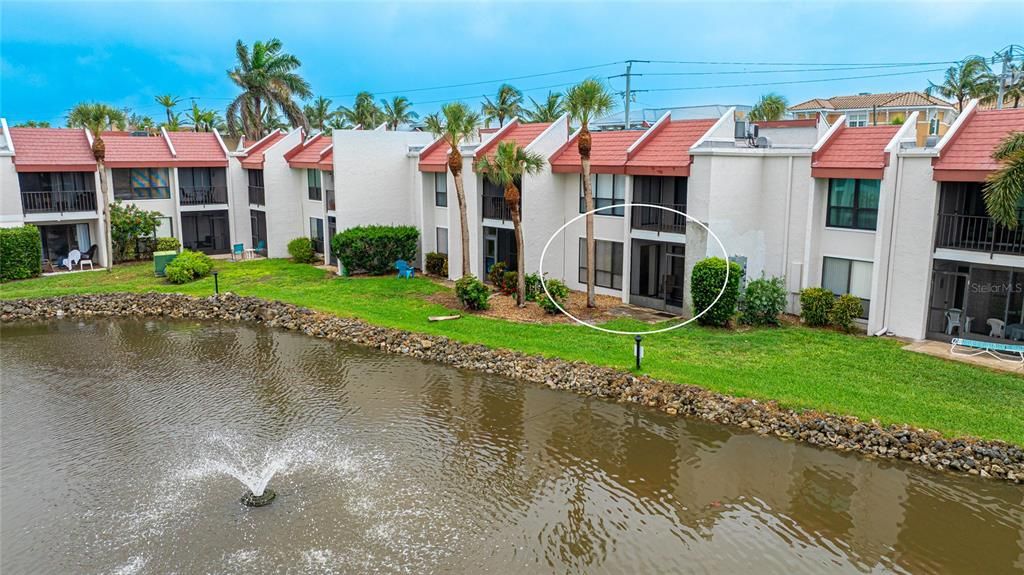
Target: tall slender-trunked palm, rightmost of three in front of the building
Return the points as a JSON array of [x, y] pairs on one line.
[[585, 102]]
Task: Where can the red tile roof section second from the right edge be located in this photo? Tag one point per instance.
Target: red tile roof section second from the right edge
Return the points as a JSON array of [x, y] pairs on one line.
[[855, 153]]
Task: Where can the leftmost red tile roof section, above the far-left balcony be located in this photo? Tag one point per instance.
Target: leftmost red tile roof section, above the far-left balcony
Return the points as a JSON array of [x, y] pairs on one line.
[[52, 150]]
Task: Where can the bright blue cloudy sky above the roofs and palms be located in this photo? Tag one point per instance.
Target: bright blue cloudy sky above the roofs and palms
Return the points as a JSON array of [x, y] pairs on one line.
[[56, 55]]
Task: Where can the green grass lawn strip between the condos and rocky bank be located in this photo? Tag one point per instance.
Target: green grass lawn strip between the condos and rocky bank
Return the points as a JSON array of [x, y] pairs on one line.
[[871, 378]]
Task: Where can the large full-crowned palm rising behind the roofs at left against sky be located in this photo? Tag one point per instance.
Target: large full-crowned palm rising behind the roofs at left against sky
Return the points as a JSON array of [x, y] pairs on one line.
[[270, 82]]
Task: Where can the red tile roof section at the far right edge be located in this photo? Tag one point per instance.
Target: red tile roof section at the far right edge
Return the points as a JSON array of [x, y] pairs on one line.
[[968, 156]]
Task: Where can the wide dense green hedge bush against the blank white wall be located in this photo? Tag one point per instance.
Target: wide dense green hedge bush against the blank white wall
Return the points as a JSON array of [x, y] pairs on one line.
[[375, 249]]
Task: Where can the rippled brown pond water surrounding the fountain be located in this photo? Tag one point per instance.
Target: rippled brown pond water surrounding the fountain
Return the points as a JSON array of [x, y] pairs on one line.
[[117, 437]]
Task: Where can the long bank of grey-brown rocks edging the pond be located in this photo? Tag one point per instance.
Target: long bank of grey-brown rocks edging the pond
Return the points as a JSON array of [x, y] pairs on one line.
[[996, 460]]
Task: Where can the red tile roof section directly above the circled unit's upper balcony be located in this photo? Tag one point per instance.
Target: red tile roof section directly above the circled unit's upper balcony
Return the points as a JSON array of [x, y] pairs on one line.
[[666, 150]]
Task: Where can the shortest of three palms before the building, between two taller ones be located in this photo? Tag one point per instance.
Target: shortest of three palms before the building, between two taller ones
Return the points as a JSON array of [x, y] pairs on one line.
[[510, 163]]
